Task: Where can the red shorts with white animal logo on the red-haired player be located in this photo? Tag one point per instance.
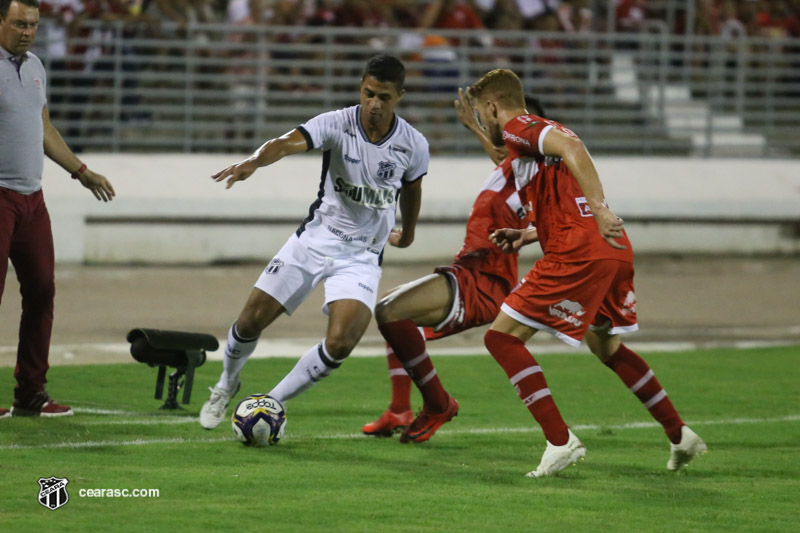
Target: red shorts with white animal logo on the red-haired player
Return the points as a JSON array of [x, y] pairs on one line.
[[565, 299]]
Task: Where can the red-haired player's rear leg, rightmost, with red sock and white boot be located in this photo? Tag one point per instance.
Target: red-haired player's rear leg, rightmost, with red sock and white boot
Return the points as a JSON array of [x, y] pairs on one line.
[[637, 375]]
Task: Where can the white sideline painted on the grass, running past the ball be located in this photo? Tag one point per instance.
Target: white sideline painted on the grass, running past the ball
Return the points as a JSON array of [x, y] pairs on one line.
[[341, 436]]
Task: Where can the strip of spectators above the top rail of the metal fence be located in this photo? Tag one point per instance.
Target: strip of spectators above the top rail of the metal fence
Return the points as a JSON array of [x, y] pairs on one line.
[[779, 18]]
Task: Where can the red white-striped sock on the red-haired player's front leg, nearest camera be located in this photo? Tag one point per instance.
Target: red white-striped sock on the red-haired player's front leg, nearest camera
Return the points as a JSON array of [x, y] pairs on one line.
[[527, 377]]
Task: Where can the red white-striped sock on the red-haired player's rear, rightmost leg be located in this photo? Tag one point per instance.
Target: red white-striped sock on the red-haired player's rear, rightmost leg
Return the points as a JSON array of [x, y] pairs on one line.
[[637, 375]]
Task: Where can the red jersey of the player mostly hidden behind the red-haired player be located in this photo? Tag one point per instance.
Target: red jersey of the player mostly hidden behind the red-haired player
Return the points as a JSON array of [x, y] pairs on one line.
[[498, 206]]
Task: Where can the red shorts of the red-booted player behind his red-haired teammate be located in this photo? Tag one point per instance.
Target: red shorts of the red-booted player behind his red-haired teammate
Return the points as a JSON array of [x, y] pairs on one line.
[[476, 301]]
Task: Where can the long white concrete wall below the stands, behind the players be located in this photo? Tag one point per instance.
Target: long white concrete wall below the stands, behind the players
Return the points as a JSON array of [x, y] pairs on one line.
[[179, 186]]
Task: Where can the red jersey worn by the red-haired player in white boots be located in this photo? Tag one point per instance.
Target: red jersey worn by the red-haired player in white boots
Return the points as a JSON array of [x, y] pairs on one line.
[[567, 230]]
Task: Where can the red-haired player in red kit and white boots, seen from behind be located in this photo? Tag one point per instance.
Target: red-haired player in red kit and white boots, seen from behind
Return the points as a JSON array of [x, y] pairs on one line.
[[582, 287]]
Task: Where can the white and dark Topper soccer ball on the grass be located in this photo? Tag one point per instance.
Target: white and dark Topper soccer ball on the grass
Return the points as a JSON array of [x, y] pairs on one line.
[[259, 420]]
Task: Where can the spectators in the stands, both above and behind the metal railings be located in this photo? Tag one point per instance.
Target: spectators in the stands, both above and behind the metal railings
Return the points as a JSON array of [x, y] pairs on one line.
[[73, 42]]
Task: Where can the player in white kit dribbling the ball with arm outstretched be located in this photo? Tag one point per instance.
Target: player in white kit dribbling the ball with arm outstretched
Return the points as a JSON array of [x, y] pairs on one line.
[[370, 155]]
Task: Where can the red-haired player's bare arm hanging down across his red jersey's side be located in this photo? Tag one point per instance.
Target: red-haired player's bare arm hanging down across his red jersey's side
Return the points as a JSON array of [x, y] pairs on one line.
[[574, 154]]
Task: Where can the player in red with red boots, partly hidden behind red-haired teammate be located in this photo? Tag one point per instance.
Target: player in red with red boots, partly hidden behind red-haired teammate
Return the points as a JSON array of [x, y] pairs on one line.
[[463, 295]]
